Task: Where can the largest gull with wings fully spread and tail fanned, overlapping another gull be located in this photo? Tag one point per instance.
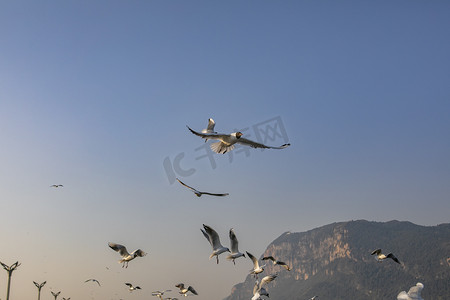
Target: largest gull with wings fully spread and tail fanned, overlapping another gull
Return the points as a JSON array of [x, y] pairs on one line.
[[227, 141]]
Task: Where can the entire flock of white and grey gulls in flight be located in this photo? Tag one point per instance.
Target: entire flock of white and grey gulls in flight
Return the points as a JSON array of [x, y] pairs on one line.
[[226, 143]]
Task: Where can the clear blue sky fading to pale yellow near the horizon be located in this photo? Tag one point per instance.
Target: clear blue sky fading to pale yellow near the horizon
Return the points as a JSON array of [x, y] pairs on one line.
[[96, 95]]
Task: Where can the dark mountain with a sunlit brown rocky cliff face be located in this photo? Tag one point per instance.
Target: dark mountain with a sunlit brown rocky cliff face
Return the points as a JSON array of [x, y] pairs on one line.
[[335, 262]]
